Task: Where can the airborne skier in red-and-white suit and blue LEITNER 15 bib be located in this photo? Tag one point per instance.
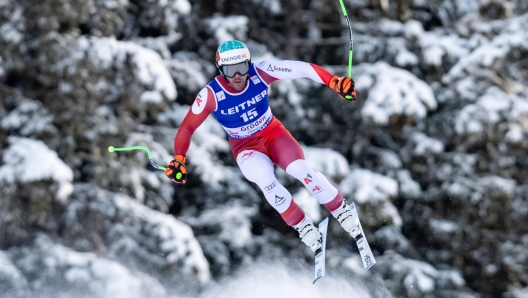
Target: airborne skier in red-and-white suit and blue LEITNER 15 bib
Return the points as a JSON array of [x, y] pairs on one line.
[[239, 100]]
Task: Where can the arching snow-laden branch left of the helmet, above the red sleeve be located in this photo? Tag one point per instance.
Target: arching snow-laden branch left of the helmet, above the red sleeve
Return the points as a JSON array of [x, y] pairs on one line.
[[149, 67]]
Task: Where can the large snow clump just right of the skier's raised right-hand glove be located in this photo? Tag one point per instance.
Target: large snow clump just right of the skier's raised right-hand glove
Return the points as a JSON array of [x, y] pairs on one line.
[[408, 95]]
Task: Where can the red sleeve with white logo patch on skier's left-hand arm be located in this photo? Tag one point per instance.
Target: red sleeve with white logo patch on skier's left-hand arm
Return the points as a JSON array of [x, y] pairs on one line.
[[204, 104]]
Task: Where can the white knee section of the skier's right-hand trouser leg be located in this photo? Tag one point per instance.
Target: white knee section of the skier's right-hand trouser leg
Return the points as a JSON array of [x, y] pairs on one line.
[[315, 182]]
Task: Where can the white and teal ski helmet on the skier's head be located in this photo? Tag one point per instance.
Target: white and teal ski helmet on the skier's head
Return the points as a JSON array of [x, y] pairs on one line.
[[230, 53]]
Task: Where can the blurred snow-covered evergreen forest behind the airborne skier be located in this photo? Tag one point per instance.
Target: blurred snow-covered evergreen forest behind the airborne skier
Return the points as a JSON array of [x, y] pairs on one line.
[[433, 152]]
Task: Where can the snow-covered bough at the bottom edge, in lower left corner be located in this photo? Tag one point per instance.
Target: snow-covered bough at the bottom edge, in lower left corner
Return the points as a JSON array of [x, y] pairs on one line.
[[73, 273]]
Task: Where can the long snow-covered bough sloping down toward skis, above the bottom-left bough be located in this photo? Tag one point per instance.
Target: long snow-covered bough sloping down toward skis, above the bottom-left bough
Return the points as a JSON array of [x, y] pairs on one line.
[[137, 235]]
